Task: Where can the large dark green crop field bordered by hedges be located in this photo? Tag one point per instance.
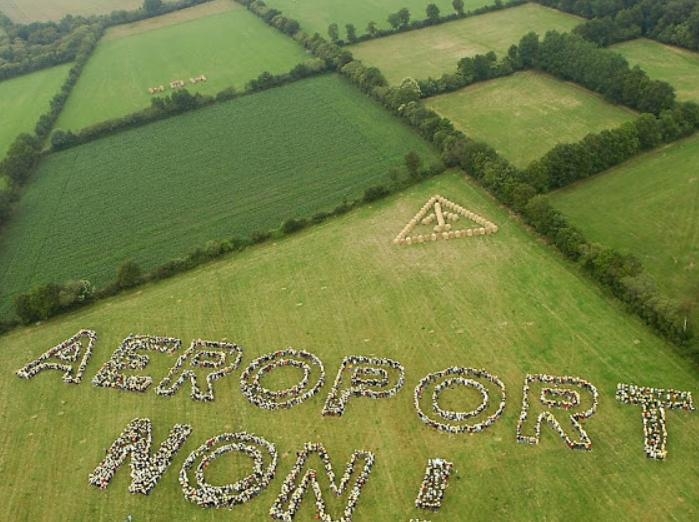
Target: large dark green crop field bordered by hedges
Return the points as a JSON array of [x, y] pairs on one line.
[[159, 191]]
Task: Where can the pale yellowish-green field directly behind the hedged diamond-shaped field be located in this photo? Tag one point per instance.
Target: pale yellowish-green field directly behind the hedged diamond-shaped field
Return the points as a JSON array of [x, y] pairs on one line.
[[436, 50]]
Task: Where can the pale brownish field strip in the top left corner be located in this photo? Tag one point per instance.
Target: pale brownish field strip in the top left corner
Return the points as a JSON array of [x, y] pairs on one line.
[[25, 11]]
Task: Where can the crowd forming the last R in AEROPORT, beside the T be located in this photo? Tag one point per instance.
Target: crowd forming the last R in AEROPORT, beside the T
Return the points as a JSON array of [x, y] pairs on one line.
[[562, 400]]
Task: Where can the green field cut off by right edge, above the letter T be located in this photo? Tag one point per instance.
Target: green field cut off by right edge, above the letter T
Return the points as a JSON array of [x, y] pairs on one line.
[[649, 206]]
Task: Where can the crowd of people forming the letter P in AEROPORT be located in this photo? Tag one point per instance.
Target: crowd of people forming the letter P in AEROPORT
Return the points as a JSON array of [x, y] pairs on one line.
[[365, 380]]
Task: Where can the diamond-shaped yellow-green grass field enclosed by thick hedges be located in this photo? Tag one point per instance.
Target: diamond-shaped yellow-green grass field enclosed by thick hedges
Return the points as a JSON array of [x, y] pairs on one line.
[[524, 115]]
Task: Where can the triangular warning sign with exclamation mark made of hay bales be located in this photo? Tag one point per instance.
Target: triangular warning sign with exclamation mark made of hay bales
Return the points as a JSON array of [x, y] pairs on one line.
[[443, 216]]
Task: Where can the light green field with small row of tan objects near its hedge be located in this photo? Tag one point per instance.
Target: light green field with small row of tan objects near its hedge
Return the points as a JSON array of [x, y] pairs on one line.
[[229, 47]]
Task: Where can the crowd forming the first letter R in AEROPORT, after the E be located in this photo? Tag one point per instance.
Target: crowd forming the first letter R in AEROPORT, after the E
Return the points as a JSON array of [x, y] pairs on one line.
[[212, 355]]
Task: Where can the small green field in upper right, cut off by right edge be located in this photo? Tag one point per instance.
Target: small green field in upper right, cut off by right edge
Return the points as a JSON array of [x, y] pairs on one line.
[[679, 67]]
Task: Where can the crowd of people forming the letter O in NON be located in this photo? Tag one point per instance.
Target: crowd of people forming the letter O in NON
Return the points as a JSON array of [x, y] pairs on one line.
[[240, 492]]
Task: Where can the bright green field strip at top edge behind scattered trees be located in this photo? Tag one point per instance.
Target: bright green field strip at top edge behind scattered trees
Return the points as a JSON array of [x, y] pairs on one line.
[[317, 15]]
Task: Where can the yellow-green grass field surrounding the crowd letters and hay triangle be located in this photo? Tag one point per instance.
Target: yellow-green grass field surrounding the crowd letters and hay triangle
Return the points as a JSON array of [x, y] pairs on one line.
[[504, 303]]
